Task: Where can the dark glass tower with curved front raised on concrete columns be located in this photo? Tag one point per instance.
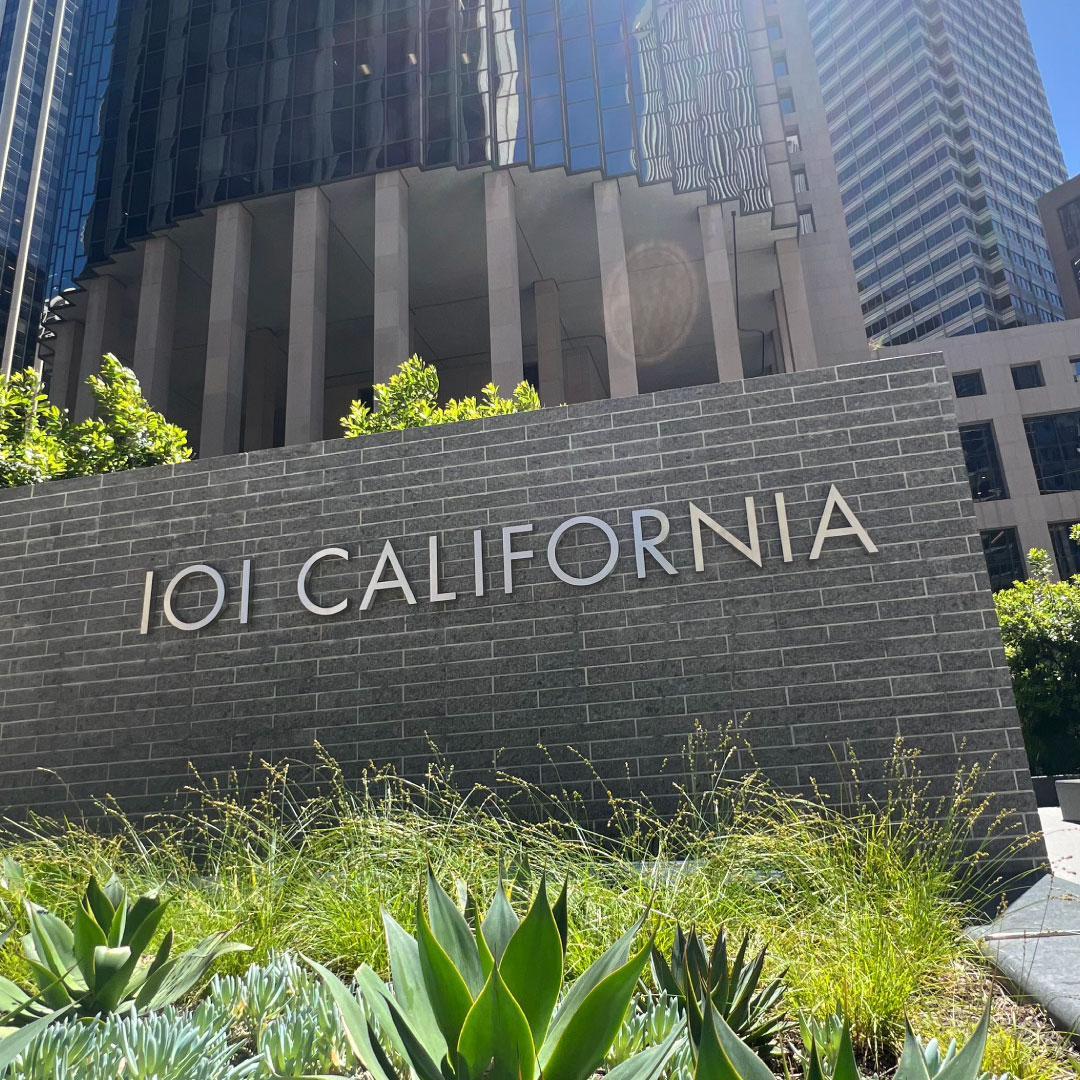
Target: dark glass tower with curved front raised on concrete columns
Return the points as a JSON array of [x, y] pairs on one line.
[[600, 196]]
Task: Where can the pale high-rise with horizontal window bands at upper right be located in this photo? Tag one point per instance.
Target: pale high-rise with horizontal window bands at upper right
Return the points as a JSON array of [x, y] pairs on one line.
[[943, 143]]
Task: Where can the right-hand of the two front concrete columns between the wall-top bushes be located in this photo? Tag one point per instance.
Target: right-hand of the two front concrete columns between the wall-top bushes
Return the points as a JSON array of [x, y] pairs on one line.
[[307, 319]]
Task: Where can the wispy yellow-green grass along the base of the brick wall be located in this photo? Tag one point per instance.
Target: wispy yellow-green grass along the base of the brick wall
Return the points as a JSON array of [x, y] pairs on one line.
[[862, 900]]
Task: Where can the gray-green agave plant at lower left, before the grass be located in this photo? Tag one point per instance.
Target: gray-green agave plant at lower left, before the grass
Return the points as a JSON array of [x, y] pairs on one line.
[[98, 966]]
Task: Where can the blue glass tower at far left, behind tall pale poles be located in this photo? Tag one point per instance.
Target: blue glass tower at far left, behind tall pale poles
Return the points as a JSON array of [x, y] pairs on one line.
[[55, 62]]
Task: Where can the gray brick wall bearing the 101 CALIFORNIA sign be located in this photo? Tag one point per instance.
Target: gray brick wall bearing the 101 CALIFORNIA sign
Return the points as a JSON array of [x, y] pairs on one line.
[[794, 658]]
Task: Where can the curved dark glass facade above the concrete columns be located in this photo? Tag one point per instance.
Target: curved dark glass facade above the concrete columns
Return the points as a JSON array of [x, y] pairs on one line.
[[212, 101]]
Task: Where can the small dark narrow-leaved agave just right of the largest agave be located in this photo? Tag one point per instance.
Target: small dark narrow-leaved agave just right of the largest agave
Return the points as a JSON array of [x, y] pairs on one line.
[[750, 1010]]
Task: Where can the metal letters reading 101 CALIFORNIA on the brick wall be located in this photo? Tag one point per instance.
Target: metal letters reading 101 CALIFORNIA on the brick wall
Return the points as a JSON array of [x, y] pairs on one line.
[[389, 574]]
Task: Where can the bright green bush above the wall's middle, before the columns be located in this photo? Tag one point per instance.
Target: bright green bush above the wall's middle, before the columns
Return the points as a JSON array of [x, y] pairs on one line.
[[411, 400]]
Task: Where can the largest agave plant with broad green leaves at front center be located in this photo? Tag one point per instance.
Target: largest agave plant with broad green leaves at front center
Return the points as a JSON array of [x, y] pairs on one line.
[[484, 1003]]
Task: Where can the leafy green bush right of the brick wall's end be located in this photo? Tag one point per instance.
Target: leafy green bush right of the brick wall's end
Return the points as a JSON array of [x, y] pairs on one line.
[[1041, 627]]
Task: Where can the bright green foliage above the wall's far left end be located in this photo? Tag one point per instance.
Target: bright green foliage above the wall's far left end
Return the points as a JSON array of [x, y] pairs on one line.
[[39, 442]]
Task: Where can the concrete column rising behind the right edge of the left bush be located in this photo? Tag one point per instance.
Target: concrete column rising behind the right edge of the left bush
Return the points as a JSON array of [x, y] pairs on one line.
[[156, 328]]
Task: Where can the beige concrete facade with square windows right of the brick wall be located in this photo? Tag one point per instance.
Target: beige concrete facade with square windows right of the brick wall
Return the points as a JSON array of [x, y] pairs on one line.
[[1019, 411]]
